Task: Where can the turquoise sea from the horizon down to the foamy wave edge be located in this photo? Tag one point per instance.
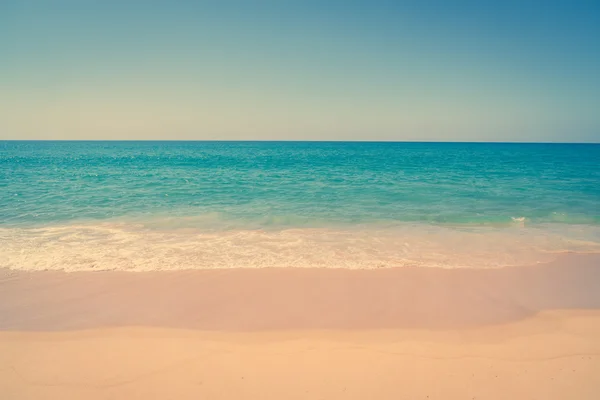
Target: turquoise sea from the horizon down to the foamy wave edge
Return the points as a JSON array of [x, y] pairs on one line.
[[145, 206]]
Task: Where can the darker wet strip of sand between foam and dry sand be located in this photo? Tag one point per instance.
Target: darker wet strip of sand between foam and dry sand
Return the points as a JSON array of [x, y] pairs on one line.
[[296, 299]]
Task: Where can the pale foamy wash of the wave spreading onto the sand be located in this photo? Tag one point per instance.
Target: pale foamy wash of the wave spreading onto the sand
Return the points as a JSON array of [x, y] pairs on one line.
[[135, 247]]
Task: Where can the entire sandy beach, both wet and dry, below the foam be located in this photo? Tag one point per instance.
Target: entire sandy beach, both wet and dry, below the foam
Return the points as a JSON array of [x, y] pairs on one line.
[[530, 332]]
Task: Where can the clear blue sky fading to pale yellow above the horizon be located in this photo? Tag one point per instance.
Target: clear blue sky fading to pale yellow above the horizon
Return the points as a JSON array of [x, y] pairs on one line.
[[300, 70]]
